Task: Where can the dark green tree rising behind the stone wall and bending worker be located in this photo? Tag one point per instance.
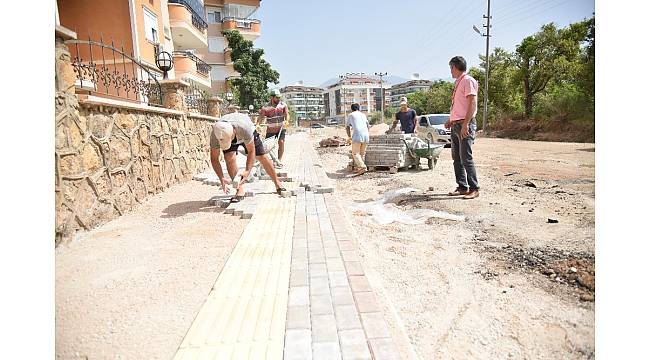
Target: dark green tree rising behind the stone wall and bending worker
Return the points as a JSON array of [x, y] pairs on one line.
[[255, 72]]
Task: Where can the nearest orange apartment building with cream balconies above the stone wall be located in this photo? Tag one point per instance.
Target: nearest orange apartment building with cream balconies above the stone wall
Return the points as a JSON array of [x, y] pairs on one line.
[[138, 29]]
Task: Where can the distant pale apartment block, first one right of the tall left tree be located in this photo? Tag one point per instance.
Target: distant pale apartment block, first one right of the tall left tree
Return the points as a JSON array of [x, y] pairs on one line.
[[307, 101]]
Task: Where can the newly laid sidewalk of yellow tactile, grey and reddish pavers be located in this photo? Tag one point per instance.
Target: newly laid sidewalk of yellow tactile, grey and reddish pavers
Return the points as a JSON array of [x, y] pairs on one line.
[[294, 286]]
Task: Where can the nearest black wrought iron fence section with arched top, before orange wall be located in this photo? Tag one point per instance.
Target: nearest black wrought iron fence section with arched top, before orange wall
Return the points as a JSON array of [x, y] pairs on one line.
[[106, 70]]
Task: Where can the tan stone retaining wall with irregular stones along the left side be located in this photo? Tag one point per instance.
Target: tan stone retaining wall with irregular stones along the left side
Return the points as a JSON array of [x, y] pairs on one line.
[[110, 158]]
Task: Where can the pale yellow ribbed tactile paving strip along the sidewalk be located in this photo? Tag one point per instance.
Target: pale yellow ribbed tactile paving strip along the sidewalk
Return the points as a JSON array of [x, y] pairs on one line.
[[244, 315]]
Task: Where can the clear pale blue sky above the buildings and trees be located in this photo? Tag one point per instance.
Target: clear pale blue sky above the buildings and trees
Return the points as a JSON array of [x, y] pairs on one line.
[[315, 41]]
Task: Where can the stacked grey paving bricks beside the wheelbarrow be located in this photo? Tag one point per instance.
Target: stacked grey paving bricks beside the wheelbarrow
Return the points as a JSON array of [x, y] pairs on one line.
[[389, 151]]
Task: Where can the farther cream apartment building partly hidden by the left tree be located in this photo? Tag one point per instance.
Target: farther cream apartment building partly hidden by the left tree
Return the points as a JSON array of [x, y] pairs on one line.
[[225, 15]]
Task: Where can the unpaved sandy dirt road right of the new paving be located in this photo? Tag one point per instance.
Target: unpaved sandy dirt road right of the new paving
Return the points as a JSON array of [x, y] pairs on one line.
[[505, 283]]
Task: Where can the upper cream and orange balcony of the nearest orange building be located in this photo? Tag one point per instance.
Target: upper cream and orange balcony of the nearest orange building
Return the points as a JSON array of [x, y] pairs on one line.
[[189, 28]]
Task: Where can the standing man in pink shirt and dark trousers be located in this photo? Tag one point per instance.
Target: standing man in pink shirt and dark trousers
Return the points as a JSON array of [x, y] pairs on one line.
[[462, 123]]
